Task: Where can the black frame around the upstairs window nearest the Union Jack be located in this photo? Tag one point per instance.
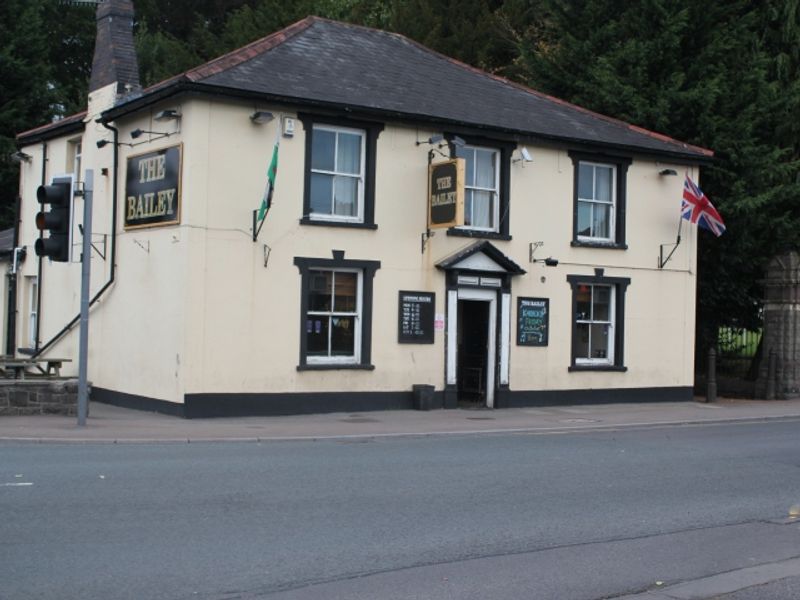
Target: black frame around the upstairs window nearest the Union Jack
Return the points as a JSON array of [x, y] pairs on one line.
[[621, 164]]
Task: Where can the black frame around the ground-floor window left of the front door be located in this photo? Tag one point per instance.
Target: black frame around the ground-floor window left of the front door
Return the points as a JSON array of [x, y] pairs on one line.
[[367, 268]]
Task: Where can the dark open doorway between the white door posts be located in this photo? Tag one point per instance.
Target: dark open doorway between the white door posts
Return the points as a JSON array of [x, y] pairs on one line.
[[473, 352]]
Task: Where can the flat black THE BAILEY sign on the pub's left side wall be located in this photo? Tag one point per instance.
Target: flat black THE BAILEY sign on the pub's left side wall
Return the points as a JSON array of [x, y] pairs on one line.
[[153, 188]]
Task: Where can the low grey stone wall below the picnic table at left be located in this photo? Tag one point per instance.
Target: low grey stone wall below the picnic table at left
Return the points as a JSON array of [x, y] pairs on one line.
[[38, 397]]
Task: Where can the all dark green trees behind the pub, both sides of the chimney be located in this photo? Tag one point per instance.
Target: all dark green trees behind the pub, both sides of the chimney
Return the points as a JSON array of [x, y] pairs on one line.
[[723, 74]]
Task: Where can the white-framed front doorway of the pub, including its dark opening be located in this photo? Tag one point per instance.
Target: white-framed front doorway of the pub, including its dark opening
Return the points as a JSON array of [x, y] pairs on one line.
[[472, 344]]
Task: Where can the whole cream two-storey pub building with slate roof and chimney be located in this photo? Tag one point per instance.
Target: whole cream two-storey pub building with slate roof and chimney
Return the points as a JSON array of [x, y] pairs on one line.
[[333, 216]]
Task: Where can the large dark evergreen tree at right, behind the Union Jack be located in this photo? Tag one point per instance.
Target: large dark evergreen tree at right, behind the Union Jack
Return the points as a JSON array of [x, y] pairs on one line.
[[706, 74]]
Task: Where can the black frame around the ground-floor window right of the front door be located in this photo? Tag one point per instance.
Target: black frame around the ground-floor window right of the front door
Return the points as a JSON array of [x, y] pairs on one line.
[[621, 285]]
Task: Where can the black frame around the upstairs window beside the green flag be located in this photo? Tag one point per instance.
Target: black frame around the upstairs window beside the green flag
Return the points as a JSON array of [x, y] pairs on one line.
[[372, 130]]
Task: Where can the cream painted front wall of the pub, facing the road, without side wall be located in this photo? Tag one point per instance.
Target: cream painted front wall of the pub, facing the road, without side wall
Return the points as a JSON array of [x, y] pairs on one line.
[[254, 347]]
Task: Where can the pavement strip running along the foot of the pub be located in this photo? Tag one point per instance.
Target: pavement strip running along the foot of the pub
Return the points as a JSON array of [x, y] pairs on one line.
[[111, 424]]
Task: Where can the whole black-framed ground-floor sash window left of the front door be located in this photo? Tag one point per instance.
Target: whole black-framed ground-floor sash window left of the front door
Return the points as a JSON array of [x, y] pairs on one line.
[[335, 312]]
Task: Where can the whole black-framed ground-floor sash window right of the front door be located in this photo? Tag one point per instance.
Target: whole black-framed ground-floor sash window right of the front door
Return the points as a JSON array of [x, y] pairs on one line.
[[598, 309]]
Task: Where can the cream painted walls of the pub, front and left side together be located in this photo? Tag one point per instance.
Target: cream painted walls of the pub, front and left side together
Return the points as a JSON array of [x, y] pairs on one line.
[[195, 309]]
